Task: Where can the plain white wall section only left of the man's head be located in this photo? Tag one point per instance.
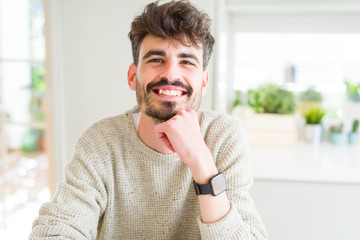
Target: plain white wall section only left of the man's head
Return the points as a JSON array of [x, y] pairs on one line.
[[97, 54]]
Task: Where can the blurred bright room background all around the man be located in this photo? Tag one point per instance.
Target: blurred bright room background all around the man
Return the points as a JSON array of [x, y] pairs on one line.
[[289, 70]]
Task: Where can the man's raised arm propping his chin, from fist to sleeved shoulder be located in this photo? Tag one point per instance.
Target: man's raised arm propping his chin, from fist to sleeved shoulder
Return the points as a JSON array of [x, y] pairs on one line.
[[237, 217]]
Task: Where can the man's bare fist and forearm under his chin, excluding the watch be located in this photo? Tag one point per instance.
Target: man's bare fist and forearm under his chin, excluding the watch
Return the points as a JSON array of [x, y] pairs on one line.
[[182, 135]]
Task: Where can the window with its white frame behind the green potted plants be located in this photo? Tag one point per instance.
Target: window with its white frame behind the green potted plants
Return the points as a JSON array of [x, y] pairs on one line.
[[295, 45]]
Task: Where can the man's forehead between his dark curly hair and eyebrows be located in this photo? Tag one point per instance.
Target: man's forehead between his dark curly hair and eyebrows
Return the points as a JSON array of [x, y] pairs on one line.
[[151, 42]]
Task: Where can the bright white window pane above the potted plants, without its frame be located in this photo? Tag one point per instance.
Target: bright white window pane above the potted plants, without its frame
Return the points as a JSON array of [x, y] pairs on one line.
[[321, 60]]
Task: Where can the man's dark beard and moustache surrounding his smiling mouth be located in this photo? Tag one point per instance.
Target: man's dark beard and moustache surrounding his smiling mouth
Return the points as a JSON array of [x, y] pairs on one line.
[[167, 109]]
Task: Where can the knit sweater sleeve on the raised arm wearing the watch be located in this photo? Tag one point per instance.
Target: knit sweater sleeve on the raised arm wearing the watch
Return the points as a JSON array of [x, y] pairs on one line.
[[242, 222]]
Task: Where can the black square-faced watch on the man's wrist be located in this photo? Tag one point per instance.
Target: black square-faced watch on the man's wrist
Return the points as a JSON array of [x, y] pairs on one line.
[[216, 185]]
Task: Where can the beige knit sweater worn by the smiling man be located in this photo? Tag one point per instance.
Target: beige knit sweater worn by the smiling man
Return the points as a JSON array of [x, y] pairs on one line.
[[118, 188]]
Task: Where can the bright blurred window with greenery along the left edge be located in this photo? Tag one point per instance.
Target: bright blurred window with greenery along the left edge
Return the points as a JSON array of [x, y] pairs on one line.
[[24, 161]]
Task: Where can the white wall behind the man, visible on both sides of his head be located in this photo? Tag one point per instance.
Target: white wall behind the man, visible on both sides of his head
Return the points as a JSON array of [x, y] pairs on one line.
[[90, 41]]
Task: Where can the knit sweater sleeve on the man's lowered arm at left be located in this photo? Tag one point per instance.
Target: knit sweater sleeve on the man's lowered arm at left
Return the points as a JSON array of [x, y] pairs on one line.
[[77, 204]]
